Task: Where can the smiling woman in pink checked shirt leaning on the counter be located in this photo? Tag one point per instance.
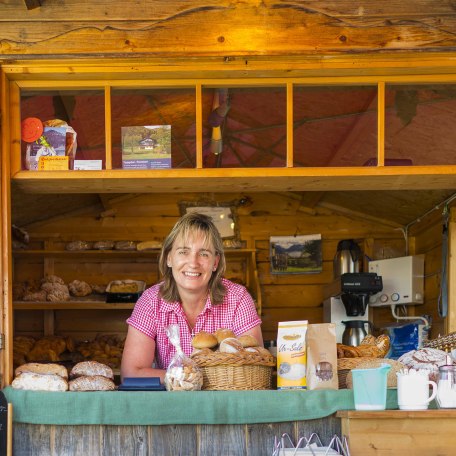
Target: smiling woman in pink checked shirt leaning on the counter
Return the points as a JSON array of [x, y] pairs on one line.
[[193, 295]]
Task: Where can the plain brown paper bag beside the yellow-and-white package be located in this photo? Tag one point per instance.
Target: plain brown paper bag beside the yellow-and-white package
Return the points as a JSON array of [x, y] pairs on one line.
[[321, 357]]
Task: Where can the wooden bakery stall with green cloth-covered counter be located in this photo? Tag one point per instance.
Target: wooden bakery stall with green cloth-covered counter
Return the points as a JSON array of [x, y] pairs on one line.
[[325, 97]]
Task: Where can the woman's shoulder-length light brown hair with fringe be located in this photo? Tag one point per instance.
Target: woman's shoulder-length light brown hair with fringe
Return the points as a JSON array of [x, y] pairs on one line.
[[189, 225]]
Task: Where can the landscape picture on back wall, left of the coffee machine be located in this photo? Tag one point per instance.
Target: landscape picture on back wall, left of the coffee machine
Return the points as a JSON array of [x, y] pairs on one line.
[[295, 254]]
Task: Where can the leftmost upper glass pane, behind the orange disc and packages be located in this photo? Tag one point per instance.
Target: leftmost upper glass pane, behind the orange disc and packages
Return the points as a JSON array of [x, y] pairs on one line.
[[83, 110]]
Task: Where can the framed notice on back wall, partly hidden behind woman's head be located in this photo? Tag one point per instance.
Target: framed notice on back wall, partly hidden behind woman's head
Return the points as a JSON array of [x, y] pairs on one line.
[[223, 216]]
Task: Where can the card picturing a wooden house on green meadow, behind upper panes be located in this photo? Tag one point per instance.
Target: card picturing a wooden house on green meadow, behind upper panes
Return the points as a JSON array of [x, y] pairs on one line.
[[146, 147]]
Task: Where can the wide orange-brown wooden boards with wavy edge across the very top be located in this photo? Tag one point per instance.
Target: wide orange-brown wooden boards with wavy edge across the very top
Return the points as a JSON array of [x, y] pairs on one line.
[[224, 28]]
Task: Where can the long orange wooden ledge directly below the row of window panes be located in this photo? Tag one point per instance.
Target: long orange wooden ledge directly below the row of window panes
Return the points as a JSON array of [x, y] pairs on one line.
[[246, 179]]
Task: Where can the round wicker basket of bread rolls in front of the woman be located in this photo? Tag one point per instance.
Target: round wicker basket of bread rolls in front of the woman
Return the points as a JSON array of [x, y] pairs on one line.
[[232, 363]]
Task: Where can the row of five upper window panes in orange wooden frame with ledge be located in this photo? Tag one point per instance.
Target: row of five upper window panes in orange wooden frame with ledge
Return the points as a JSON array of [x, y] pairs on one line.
[[249, 134]]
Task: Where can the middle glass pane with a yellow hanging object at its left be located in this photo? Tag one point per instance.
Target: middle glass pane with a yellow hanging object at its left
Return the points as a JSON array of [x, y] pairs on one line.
[[244, 127]]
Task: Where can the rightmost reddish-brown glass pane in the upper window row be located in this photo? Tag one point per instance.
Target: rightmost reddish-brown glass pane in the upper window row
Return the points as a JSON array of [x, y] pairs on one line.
[[419, 124]]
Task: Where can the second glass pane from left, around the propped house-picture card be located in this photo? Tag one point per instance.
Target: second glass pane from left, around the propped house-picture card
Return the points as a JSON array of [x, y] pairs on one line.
[[175, 107]]
